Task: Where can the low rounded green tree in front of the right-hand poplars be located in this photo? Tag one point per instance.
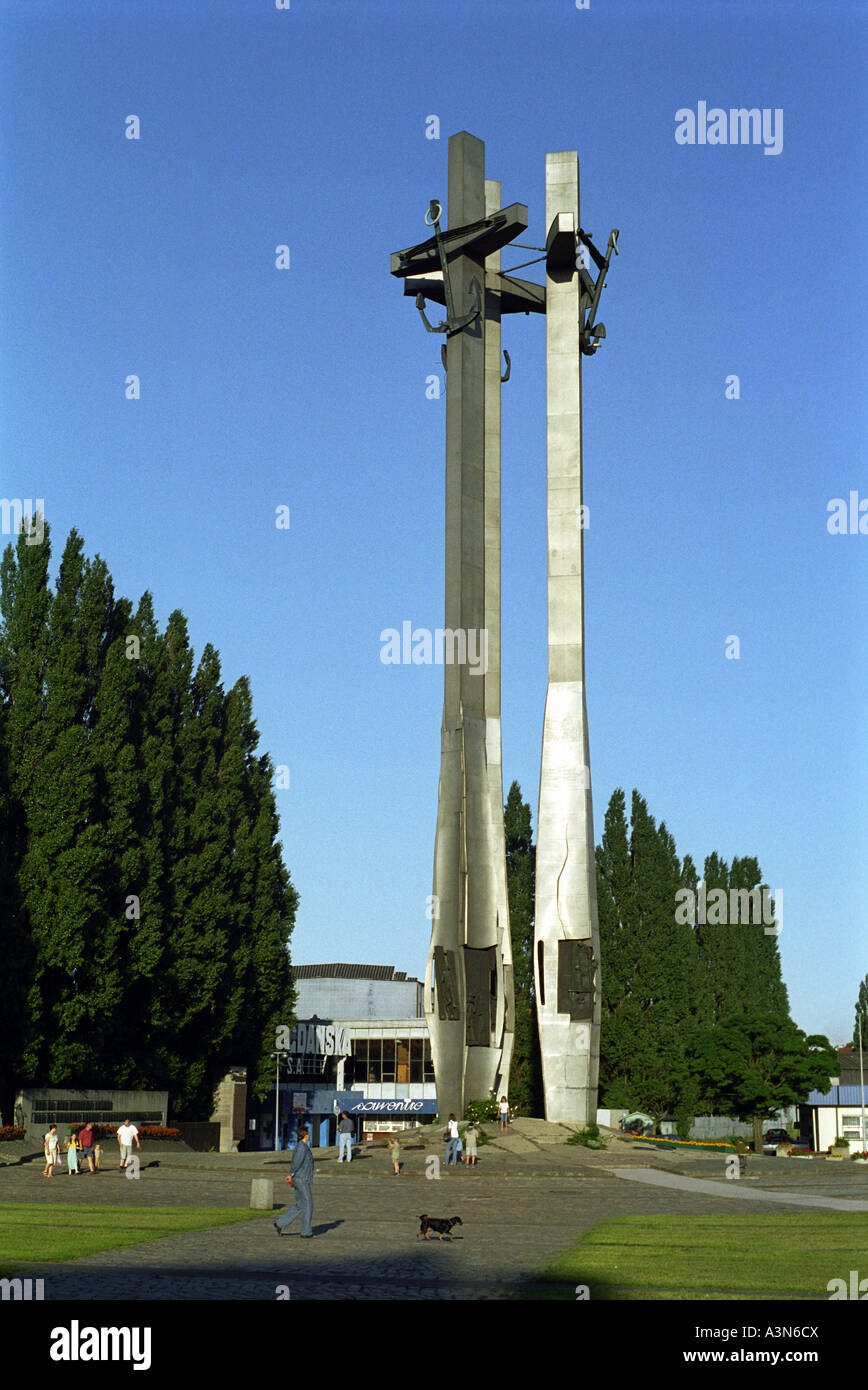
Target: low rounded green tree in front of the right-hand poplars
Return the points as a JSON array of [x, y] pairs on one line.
[[753, 1065]]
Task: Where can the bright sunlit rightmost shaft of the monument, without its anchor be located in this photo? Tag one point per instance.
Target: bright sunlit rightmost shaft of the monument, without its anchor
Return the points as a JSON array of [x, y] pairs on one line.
[[567, 935]]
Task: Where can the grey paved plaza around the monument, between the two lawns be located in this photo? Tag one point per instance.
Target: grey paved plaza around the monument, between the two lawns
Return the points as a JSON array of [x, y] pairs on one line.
[[525, 1204]]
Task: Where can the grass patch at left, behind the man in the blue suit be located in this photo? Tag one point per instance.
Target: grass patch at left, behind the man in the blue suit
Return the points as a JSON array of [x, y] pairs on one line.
[[49, 1235]]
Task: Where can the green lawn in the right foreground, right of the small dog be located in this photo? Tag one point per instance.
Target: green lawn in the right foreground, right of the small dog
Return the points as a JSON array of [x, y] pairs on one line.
[[713, 1257]]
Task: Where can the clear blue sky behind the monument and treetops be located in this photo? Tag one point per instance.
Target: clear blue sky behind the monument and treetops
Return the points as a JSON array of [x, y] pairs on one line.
[[307, 389]]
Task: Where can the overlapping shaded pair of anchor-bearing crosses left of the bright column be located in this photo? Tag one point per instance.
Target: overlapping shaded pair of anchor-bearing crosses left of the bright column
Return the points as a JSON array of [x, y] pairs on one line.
[[469, 989]]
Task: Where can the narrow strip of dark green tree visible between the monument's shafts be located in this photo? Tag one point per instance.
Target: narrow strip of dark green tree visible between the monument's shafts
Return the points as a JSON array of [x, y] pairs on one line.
[[527, 1070]]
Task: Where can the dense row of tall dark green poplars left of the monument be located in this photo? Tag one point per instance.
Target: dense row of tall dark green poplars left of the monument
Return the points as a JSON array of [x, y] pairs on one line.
[[145, 910]]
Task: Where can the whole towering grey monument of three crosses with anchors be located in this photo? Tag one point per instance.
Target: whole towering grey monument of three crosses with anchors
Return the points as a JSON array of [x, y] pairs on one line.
[[469, 986]]
